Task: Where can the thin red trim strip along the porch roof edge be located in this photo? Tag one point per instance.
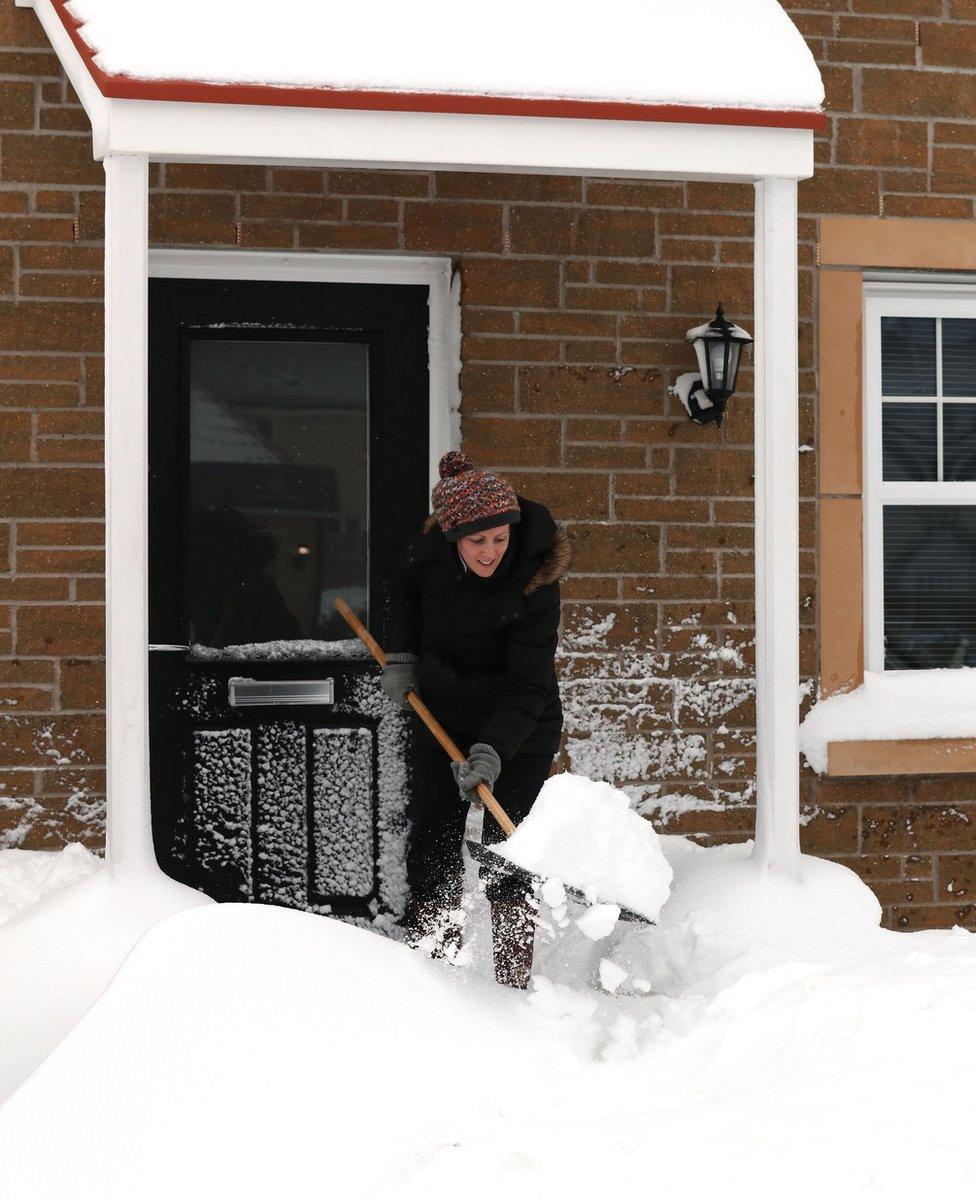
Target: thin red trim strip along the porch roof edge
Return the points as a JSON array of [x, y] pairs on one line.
[[190, 92]]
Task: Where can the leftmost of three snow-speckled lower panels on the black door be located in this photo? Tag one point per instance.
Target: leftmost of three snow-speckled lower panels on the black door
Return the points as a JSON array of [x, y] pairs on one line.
[[223, 803]]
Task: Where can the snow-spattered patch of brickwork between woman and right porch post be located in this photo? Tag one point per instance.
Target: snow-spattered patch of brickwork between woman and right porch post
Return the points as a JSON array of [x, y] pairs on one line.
[[642, 719]]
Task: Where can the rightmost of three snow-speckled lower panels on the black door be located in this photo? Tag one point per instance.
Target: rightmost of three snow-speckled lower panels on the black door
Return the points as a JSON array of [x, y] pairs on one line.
[[343, 799]]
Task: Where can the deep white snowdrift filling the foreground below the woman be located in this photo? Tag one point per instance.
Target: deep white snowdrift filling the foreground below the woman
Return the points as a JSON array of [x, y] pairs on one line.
[[787, 1047]]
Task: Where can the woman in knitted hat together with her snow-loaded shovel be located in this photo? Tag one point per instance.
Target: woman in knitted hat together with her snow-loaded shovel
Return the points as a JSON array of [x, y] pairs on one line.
[[482, 650]]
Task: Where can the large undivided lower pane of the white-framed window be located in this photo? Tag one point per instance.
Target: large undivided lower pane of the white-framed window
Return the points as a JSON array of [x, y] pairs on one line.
[[930, 586]]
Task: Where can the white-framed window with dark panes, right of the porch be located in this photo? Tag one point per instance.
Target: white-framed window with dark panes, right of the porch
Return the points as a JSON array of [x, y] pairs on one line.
[[920, 476]]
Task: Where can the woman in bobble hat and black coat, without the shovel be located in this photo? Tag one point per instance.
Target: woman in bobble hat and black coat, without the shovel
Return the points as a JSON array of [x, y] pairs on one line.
[[475, 633]]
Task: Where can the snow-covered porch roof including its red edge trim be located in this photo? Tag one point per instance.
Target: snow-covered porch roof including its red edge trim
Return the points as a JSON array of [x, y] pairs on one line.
[[614, 59]]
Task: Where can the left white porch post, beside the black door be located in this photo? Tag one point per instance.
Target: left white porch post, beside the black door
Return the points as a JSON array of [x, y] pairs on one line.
[[129, 836]]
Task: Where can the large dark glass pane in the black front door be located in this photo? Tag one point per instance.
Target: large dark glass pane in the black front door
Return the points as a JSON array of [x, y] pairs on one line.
[[277, 519]]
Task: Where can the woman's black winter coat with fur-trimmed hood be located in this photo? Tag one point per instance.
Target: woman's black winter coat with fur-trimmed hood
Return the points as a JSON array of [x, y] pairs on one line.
[[487, 646]]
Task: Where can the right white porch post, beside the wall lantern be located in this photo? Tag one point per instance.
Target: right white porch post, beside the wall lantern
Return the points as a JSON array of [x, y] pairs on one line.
[[777, 566]]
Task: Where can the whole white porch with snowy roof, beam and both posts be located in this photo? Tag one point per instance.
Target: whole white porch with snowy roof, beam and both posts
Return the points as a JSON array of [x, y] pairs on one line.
[[663, 89]]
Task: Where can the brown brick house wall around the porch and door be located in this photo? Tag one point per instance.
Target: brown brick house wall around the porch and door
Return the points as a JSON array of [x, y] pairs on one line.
[[577, 296]]
